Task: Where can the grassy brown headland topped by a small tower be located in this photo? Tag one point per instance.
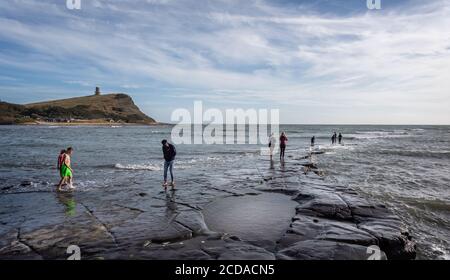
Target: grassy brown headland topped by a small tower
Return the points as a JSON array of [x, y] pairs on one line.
[[96, 109]]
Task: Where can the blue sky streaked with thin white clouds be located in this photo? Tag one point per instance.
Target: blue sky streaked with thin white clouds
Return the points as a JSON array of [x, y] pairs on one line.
[[318, 62]]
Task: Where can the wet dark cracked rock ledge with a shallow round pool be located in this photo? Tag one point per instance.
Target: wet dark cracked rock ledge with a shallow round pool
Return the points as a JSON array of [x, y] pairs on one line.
[[221, 215]]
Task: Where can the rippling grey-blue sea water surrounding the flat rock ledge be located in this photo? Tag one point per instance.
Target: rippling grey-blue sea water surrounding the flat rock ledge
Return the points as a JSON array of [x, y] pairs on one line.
[[405, 167]]
